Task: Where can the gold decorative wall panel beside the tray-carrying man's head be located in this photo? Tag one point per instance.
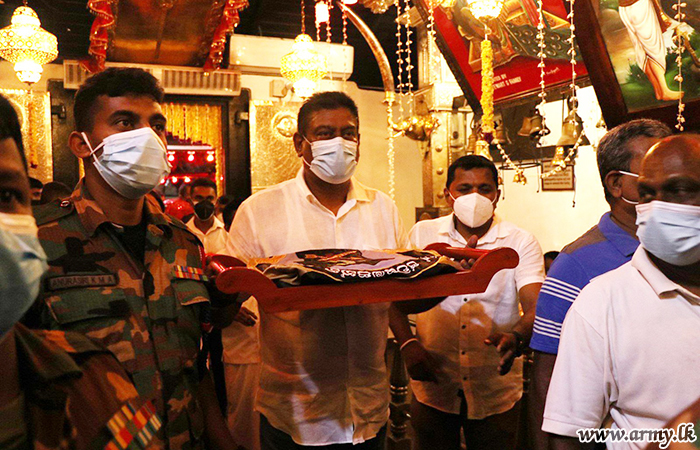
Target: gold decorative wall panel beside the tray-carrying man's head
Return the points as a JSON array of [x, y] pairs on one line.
[[272, 155]]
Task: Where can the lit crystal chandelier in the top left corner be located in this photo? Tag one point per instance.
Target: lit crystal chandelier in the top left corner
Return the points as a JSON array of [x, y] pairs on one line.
[[27, 45]]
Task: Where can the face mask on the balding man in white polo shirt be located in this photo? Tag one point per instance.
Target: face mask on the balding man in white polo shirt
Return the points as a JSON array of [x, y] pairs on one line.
[[670, 231]]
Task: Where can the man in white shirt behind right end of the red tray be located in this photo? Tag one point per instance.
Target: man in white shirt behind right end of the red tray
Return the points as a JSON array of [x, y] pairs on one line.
[[462, 359]]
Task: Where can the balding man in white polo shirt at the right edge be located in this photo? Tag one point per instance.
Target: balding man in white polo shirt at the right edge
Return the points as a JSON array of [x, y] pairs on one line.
[[629, 342]]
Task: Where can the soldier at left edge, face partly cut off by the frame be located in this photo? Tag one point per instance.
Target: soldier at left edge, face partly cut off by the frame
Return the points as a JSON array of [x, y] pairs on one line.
[[60, 390]]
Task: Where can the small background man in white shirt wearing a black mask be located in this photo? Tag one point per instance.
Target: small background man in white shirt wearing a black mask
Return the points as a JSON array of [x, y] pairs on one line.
[[204, 224]]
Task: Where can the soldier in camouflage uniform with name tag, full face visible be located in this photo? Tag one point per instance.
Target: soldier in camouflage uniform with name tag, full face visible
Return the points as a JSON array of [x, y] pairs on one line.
[[120, 271]]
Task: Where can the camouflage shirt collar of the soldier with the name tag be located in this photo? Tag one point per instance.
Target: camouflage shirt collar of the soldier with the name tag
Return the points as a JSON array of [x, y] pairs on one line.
[[92, 216]]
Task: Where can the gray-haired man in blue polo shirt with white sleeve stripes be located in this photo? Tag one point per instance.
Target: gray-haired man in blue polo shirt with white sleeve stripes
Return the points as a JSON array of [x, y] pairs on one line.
[[604, 247]]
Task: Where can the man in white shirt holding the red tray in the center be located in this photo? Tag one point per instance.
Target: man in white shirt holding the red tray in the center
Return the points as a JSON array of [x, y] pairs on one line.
[[323, 380]]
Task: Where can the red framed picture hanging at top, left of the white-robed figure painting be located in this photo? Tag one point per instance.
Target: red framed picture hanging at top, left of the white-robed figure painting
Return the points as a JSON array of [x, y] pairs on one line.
[[514, 38]]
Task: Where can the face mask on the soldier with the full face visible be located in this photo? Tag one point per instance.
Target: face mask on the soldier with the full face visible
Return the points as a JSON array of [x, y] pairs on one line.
[[133, 162]]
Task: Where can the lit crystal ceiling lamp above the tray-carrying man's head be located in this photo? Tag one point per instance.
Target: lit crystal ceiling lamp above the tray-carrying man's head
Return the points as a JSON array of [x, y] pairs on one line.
[[303, 67]]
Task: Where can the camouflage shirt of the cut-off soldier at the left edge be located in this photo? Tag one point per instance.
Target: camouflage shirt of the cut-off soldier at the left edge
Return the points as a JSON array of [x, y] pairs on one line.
[[61, 374]]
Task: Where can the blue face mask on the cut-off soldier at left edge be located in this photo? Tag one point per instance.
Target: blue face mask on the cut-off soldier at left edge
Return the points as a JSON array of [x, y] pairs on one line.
[[22, 264]]
